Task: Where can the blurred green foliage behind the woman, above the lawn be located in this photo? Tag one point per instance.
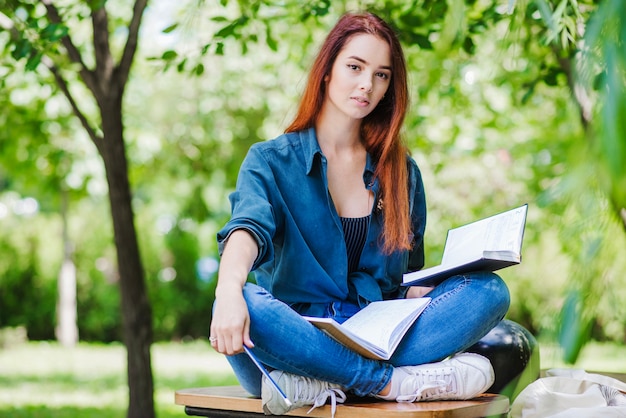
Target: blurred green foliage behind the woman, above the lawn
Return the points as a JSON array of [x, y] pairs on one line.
[[493, 124]]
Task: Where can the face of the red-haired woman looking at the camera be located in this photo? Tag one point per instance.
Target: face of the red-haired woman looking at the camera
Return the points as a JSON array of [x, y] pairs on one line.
[[360, 76]]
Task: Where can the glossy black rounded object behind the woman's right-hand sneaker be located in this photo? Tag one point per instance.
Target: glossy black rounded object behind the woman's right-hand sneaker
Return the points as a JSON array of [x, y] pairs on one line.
[[514, 355]]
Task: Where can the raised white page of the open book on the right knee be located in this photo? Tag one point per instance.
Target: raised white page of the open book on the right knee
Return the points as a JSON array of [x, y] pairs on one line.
[[502, 232]]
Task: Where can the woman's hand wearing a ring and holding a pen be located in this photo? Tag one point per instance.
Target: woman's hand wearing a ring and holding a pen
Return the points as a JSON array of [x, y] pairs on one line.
[[230, 325]]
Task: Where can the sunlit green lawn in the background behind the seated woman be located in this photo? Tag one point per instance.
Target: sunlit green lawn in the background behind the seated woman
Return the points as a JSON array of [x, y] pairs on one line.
[[44, 380]]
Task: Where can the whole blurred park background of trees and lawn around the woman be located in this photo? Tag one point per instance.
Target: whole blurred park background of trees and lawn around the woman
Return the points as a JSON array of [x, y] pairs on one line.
[[512, 102]]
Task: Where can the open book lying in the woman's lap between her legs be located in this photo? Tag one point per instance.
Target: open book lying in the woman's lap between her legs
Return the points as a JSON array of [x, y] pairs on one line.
[[376, 330]]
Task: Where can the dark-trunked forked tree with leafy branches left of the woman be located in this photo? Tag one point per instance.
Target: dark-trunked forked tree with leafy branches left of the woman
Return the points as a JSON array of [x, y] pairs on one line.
[[40, 35]]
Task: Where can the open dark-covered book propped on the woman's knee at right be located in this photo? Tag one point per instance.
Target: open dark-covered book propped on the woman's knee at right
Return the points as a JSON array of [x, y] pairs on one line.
[[486, 245]]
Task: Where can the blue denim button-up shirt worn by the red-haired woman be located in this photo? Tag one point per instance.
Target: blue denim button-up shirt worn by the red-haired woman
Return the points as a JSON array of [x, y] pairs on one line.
[[282, 199]]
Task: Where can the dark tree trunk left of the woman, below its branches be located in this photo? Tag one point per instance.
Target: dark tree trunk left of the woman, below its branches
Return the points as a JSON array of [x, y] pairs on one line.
[[136, 311]]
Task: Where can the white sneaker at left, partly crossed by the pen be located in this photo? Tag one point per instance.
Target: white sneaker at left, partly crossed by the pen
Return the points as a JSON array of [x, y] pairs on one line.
[[301, 391]]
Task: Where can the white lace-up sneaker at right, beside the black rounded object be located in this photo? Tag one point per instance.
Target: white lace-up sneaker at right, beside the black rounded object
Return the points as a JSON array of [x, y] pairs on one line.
[[463, 376]]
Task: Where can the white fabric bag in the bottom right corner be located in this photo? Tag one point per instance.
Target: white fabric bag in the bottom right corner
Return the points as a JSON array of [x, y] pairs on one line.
[[571, 393]]
